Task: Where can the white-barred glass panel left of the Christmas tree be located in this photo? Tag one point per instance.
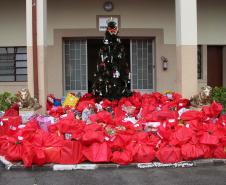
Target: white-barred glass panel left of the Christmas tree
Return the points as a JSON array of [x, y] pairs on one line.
[[75, 65]]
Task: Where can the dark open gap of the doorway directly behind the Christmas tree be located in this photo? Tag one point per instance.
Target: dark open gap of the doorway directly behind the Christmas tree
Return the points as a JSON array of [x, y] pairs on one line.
[[93, 47]]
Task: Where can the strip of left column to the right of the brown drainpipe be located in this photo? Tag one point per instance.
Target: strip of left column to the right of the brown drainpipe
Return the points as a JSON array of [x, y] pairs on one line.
[[41, 42]]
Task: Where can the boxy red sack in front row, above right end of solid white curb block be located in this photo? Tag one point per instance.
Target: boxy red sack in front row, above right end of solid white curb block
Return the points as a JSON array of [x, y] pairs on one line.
[[98, 152]]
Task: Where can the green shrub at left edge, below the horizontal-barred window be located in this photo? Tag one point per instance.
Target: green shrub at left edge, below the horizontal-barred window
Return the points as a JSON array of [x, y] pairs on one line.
[[6, 100]]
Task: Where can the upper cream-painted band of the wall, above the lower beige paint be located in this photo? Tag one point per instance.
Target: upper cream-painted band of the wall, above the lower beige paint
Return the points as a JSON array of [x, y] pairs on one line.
[[69, 14]]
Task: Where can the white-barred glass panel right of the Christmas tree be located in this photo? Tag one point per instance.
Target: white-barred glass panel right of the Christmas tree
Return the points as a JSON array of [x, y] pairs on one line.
[[142, 64]]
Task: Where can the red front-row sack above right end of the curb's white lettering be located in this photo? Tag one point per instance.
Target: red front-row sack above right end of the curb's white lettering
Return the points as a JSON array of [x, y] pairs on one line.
[[190, 151]]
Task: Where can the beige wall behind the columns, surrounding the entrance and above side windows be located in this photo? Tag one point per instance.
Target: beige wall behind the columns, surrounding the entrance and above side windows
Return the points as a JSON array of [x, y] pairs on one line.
[[69, 17]]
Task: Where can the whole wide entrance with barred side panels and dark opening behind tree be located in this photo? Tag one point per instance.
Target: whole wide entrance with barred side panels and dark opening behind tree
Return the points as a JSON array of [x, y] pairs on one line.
[[81, 56]]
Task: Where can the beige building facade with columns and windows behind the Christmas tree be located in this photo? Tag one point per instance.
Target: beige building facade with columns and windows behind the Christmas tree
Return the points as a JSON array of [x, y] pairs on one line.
[[51, 46]]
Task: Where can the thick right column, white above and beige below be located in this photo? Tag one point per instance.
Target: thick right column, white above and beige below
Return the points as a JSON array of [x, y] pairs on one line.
[[186, 41]]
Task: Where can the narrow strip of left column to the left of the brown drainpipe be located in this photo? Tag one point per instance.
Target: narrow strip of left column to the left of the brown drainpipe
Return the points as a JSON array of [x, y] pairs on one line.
[[30, 77]]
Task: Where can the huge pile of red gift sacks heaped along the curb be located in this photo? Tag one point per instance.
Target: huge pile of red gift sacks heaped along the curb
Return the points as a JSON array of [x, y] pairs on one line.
[[163, 130]]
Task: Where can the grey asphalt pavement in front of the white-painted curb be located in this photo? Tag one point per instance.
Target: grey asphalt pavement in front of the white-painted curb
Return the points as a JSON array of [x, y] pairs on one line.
[[202, 175]]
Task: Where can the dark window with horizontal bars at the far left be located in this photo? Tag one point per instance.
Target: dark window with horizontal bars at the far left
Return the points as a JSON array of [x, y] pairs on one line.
[[13, 64]]
